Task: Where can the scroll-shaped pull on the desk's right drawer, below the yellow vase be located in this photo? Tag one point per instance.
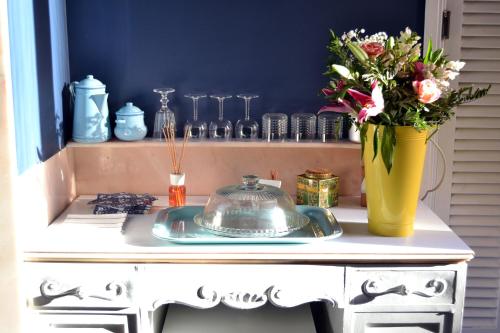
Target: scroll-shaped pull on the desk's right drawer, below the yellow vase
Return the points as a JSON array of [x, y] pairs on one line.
[[433, 288]]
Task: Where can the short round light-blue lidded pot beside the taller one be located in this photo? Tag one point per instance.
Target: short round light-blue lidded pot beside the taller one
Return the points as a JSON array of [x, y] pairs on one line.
[[130, 123]]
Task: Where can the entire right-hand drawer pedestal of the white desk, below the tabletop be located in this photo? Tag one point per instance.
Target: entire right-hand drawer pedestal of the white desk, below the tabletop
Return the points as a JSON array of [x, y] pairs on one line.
[[397, 302]]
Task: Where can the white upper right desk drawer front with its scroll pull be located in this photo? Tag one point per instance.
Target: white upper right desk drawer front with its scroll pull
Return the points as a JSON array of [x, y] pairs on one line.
[[400, 286]]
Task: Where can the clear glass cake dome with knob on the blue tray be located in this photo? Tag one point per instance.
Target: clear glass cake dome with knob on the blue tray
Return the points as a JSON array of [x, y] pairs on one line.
[[251, 209]]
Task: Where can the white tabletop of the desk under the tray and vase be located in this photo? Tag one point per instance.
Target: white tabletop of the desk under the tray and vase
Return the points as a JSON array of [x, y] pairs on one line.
[[433, 241]]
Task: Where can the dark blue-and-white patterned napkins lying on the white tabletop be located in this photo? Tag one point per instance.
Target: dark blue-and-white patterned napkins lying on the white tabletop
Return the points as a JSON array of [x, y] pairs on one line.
[[111, 203]]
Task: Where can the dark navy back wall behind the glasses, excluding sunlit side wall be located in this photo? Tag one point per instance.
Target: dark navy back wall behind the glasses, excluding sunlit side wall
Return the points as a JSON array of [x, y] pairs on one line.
[[275, 48]]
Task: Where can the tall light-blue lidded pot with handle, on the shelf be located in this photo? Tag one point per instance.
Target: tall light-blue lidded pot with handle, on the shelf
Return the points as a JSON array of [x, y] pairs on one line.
[[90, 113]]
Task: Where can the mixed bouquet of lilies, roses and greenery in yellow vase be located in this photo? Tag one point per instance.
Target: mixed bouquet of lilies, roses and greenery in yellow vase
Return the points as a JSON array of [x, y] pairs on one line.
[[388, 81]]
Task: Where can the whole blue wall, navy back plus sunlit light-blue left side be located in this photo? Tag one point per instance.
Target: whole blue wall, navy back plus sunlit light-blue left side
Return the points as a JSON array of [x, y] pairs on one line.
[[275, 48]]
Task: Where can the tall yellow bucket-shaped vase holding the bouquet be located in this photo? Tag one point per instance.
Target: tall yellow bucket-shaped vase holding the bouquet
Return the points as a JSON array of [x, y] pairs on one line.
[[392, 198]]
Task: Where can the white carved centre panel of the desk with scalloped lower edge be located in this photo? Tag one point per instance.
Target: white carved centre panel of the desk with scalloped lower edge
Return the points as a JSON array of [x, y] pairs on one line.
[[242, 286]]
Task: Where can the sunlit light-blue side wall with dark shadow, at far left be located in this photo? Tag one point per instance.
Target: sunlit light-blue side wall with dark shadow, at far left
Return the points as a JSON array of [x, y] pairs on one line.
[[40, 70]]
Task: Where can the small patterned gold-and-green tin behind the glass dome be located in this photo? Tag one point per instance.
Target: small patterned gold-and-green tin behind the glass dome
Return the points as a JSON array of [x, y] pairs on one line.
[[318, 187]]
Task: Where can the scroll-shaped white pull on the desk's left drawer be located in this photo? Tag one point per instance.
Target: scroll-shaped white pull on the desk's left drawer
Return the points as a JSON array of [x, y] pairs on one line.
[[52, 289]]
